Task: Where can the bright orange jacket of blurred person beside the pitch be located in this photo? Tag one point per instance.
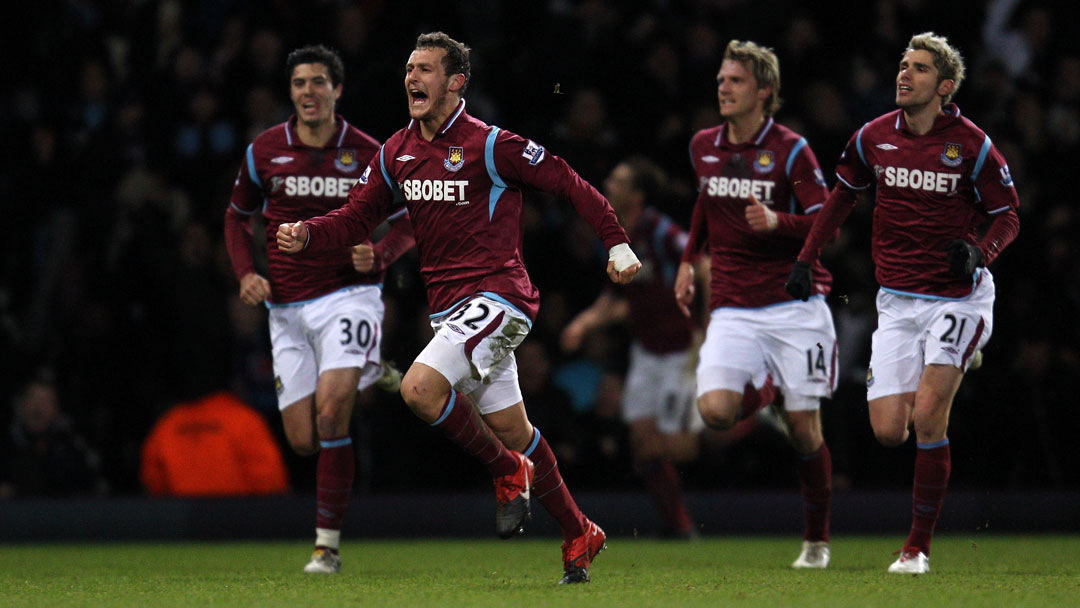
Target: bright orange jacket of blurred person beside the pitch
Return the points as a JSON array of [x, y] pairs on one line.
[[214, 447]]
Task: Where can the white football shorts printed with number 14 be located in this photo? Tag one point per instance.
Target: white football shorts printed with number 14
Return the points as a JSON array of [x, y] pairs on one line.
[[794, 343]]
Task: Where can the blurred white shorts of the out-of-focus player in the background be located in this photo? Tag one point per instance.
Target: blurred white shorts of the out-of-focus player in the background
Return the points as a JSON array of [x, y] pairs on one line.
[[661, 387]]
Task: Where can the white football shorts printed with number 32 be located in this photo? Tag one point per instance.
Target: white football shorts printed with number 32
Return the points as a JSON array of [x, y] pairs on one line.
[[474, 349]]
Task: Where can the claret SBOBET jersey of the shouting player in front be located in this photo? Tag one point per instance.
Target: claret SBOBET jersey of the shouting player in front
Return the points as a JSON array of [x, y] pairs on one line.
[[464, 195]]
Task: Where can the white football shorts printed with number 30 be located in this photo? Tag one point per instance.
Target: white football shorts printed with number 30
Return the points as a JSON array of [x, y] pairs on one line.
[[341, 330]]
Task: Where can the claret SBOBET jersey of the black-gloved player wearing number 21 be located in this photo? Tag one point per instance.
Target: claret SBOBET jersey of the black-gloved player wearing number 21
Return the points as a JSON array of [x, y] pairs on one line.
[[930, 190]]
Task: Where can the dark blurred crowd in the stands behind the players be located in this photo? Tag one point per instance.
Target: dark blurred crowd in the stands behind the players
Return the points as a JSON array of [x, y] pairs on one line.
[[126, 124]]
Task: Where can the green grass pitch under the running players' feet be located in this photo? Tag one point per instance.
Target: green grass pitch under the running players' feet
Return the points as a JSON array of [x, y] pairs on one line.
[[974, 571]]
